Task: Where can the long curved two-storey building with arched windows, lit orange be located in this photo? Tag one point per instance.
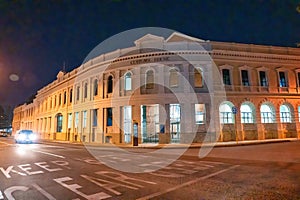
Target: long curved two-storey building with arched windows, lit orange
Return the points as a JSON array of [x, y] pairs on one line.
[[90, 104]]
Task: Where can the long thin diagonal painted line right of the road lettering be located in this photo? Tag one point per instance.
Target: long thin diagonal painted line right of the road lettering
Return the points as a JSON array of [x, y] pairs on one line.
[[187, 183]]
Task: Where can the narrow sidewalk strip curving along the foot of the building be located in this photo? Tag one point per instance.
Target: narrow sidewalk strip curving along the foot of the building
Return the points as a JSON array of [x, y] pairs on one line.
[[173, 145]]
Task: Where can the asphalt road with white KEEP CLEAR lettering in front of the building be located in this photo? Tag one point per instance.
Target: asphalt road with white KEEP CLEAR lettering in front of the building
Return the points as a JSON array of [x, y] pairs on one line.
[[73, 171]]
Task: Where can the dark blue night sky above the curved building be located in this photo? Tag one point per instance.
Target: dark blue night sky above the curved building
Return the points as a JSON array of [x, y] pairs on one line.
[[37, 38]]
